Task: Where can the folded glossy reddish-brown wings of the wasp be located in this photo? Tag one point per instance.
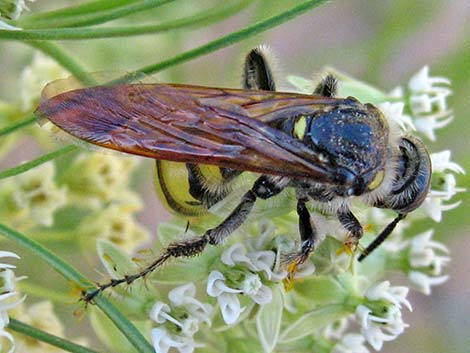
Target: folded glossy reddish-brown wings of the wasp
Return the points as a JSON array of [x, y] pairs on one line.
[[189, 124]]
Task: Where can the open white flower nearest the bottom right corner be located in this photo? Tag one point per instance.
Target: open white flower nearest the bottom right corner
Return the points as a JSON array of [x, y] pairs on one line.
[[378, 329]]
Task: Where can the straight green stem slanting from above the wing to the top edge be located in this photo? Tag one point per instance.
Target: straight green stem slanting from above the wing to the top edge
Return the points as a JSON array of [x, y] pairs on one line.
[[227, 40]]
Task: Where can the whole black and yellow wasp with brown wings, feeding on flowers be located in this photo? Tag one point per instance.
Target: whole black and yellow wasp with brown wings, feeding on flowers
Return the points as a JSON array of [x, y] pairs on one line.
[[330, 150]]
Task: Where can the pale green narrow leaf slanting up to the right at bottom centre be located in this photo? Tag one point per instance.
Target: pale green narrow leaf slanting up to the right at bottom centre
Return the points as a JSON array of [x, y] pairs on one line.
[[313, 322]]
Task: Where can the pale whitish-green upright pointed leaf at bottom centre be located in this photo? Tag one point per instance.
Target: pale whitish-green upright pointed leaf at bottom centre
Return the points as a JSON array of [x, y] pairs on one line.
[[268, 320]]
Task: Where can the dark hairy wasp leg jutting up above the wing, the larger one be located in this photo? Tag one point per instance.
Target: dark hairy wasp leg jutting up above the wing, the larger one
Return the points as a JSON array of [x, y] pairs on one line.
[[257, 73]]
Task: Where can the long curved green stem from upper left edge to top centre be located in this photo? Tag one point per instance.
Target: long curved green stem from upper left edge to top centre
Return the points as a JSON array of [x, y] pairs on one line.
[[202, 18]]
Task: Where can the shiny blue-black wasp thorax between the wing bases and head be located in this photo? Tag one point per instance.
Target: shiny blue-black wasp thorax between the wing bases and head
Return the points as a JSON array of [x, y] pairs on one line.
[[354, 138]]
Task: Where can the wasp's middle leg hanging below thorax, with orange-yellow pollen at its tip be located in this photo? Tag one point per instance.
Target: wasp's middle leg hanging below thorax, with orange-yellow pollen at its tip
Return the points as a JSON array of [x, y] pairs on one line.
[[308, 236]]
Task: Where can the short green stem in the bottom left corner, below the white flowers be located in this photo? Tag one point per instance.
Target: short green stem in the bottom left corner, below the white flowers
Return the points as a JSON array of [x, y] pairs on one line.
[[42, 336]]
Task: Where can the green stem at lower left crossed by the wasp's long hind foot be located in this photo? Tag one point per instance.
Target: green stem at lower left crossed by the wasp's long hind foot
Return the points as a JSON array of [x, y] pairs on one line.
[[80, 281]]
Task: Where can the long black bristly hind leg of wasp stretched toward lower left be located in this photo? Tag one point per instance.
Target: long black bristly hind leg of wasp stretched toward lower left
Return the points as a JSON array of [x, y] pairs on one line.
[[263, 188]]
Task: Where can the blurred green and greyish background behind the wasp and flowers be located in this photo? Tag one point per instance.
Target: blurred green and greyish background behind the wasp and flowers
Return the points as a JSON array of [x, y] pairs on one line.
[[381, 42]]
